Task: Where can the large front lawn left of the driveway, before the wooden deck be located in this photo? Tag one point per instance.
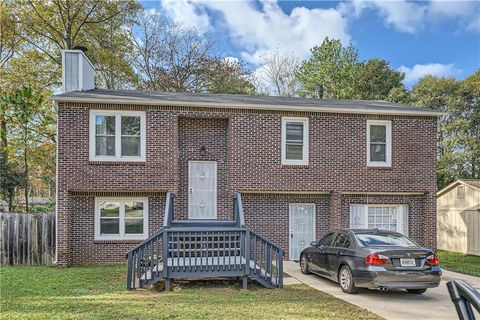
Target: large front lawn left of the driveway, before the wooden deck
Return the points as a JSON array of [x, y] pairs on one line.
[[98, 292]]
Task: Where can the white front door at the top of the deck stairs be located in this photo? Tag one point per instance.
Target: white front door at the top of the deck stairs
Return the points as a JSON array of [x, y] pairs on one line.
[[202, 189]]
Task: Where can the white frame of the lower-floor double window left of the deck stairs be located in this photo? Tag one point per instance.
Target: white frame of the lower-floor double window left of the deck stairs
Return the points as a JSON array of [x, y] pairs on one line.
[[121, 235]]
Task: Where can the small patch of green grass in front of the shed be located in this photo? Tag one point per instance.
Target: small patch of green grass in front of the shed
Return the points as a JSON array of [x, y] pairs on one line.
[[459, 262]]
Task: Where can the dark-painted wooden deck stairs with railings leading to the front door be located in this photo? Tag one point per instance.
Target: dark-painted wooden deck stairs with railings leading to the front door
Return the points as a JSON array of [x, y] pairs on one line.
[[186, 249]]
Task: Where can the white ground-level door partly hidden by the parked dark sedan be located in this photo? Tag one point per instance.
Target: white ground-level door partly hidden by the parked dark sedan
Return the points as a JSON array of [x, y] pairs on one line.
[[302, 228]]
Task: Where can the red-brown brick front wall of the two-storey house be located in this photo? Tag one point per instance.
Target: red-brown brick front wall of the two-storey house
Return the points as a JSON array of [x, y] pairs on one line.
[[246, 145]]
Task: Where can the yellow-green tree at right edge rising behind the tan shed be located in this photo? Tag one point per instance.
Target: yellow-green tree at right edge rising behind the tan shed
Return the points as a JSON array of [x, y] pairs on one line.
[[459, 129]]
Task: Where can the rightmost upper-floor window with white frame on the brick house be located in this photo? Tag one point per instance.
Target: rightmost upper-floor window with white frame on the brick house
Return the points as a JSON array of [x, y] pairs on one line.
[[379, 143]]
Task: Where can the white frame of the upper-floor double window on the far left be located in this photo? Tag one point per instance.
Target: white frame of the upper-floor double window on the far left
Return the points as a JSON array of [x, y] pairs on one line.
[[118, 141]]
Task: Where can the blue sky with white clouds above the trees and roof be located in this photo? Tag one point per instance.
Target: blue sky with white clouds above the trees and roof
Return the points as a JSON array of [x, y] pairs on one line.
[[416, 37]]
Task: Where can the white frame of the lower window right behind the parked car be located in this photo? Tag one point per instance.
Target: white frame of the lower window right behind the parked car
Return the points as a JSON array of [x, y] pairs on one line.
[[362, 209]]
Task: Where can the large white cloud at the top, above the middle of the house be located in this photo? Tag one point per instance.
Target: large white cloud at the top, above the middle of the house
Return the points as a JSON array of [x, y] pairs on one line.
[[259, 28]]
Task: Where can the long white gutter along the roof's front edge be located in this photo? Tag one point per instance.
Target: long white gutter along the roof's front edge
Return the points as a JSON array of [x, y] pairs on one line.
[[160, 102]]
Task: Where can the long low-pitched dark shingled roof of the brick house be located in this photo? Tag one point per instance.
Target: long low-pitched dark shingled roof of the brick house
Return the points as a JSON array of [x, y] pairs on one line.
[[238, 101]]
